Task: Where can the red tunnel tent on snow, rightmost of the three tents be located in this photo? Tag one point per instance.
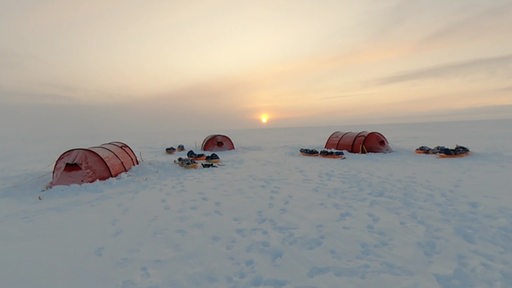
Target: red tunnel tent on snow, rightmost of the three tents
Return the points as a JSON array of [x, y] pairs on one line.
[[362, 142]]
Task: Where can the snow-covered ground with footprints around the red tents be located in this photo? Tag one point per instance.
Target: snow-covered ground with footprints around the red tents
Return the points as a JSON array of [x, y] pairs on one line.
[[267, 217]]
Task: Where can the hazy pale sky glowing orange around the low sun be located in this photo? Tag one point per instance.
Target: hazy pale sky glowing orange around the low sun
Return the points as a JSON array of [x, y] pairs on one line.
[[224, 63]]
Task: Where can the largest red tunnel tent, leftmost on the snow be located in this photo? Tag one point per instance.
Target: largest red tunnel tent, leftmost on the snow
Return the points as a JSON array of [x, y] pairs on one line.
[[86, 165]]
